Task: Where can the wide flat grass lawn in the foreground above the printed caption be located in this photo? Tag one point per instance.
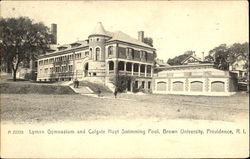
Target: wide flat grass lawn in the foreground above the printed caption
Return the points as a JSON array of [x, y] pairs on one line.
[[26, 108]]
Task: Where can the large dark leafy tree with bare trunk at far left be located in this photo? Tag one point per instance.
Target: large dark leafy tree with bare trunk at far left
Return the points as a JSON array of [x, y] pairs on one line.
[[21, 41]]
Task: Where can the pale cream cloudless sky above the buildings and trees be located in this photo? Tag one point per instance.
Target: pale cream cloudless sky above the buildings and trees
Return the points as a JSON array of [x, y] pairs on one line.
[[175, 26]]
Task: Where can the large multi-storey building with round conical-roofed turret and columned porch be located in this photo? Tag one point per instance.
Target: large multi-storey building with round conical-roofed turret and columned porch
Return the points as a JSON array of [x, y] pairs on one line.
[[99, 58]]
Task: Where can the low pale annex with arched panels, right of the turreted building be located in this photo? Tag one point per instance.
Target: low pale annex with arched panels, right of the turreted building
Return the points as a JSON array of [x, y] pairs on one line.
[[194, 77]]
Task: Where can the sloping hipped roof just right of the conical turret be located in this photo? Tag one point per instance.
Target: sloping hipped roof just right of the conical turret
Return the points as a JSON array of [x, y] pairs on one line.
[[120, 36]]
